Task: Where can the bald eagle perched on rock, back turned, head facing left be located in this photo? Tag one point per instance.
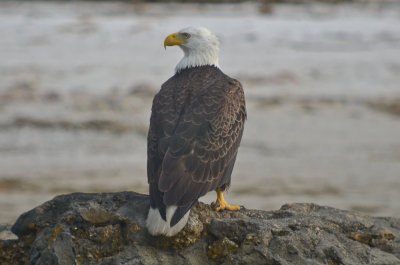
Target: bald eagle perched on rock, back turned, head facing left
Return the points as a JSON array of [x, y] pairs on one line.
[[196, 126]]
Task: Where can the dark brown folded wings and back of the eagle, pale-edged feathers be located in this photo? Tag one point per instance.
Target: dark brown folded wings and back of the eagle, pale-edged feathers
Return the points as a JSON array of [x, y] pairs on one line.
[[193, 139]]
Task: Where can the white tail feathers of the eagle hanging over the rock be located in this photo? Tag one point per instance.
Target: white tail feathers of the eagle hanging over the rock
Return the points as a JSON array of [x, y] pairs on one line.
[[157, 226]]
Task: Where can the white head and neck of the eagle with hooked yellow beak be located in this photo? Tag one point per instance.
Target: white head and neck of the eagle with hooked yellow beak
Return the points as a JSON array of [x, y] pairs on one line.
[[199, 44]]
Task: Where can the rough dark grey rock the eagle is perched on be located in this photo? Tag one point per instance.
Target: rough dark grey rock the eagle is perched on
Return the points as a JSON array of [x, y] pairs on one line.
[[109, 228]]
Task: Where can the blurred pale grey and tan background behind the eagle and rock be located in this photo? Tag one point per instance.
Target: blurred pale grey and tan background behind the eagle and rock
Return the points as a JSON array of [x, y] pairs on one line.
[[321, 79]]
